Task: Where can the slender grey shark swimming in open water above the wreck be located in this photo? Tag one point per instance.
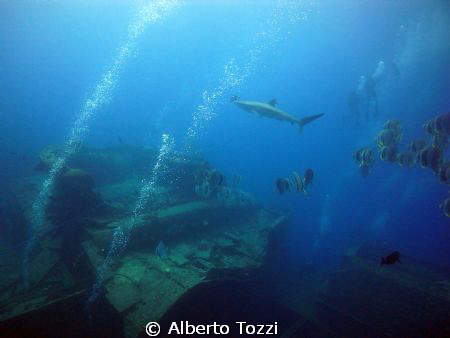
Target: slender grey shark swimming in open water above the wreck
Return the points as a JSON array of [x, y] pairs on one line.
[[270, 110]]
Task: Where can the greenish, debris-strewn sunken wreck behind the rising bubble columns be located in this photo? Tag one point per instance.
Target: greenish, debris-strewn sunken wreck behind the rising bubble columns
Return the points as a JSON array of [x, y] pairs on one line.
[[206, 225]]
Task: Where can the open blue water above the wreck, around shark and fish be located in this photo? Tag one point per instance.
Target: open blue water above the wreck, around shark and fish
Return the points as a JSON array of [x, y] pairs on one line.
[[309, 58]]
